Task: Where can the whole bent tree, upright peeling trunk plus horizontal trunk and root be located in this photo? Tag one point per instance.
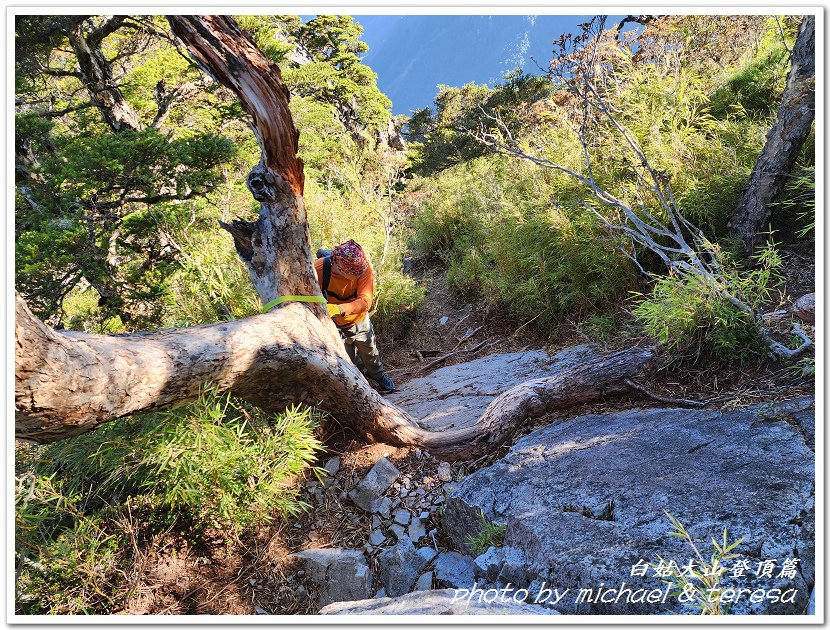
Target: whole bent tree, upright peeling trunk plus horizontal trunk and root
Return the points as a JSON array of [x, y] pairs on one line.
[[67, 383]]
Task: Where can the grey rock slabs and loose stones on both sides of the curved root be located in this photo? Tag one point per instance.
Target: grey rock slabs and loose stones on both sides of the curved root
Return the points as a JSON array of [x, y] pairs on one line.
[[579, 503]]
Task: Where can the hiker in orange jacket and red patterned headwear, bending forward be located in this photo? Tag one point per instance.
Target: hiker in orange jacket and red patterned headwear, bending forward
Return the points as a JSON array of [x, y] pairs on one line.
[[348, 283]]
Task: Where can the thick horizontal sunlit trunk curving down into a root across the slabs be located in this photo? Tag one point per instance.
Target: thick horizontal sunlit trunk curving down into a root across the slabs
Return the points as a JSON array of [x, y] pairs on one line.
[[68, 383]]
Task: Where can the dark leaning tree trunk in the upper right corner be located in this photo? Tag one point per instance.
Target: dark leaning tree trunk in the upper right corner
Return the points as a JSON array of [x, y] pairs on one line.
[[784, 141]]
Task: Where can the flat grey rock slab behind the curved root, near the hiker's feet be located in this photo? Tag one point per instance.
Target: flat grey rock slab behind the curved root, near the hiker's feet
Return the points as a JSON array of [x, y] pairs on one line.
[[455, 396]]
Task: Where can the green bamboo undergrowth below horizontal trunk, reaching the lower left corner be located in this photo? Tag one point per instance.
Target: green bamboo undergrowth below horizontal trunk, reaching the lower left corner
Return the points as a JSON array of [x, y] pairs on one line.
[[86, 502]]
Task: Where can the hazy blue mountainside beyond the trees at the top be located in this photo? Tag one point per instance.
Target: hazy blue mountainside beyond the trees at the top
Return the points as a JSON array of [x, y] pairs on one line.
[[413, 54]]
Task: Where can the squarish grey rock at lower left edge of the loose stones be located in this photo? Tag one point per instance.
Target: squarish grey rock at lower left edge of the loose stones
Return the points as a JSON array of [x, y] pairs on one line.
[[341, 574]]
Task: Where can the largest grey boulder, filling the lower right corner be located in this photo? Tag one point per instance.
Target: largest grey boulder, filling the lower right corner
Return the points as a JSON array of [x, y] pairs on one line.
[[585, 500]]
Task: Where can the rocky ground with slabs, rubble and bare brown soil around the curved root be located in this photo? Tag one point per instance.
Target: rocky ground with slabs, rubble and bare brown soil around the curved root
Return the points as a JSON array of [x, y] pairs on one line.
[[574, 502]]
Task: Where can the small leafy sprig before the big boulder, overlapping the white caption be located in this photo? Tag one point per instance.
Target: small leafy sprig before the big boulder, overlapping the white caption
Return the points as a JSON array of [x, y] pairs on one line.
[[701, 586]]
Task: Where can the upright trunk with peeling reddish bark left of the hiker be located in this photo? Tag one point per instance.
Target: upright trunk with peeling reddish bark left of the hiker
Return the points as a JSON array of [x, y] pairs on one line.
[[276, 248]]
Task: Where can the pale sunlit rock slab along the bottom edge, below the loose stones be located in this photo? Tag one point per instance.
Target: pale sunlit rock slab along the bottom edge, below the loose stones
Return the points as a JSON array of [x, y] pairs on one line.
[[435, 602]]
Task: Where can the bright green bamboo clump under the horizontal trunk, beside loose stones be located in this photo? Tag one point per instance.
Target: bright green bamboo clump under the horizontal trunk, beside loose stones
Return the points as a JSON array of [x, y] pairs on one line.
[[215, 461]]
